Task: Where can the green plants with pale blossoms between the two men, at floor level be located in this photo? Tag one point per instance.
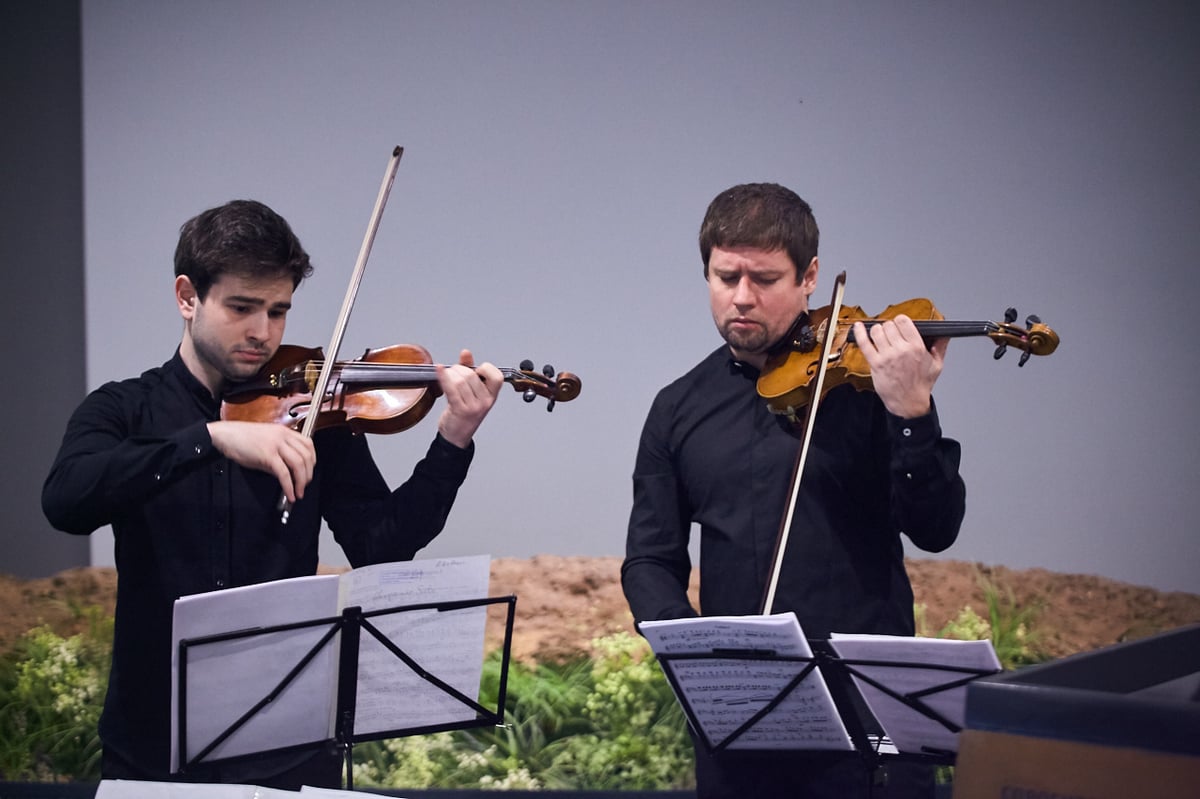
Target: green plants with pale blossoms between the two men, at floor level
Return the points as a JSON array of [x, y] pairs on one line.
[[610, 723]]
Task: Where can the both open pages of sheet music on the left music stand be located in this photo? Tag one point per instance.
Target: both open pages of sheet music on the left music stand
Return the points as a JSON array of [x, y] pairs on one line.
[[227, 680]]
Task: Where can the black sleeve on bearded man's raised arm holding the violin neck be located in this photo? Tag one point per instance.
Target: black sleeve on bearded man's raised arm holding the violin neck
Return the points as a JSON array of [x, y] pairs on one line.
[[928, 492]]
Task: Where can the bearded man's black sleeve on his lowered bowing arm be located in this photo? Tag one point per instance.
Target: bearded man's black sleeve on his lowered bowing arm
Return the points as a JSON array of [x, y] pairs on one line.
[[658, 567]]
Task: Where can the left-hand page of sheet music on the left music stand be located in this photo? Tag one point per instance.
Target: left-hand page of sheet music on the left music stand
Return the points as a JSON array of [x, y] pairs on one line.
[[226, 680]]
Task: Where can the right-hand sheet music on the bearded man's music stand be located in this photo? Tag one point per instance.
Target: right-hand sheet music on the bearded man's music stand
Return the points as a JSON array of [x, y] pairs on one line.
[[911, 731]]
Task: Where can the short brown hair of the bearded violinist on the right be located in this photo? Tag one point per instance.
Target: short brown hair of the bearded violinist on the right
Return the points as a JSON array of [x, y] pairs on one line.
[[765, 217]]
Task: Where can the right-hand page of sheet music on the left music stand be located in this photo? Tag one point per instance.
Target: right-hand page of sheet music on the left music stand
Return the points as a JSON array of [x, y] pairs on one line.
[[448, 645]]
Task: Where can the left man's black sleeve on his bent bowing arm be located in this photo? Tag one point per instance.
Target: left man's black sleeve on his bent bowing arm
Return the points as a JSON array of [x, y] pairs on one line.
[[103, 467]]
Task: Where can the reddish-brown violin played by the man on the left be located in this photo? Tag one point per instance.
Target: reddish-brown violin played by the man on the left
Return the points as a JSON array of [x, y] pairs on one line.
[[388, 391]]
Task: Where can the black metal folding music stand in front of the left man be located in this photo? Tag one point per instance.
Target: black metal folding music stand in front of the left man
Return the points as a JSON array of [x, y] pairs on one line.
[[351, 624]]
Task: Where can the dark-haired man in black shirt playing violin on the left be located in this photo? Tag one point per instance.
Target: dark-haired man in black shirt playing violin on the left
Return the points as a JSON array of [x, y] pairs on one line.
[[195, 501]]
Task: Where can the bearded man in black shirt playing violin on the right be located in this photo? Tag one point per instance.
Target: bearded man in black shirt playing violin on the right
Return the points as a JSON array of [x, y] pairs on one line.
[[713, 454]]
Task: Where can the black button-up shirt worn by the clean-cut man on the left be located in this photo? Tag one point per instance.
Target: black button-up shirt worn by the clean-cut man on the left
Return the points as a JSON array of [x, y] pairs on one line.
[[137, 455]]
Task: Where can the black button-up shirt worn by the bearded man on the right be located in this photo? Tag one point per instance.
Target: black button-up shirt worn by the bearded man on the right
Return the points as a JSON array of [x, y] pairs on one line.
[[715, 455]]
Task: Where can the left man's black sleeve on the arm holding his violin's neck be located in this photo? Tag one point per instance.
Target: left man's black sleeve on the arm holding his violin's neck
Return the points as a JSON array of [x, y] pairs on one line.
[[374, 525]]
